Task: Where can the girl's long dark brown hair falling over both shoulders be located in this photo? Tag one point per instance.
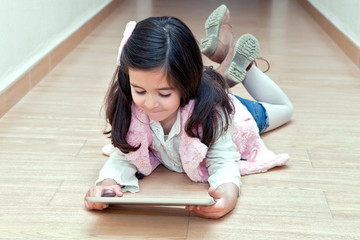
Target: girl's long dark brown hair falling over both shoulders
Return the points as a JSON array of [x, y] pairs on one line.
[[167, 43]]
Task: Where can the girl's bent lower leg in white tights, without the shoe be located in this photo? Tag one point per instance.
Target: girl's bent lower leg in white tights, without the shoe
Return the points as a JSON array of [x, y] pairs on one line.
[[278, 106]]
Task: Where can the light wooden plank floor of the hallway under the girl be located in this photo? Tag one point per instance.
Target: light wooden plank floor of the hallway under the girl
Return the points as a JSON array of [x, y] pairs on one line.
[[50, 142]]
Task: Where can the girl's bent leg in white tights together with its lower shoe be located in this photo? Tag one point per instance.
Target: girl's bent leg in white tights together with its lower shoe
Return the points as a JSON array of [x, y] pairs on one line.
[[235, 69]]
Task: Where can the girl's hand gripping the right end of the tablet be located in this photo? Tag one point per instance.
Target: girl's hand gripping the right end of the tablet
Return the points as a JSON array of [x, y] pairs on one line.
[[225, 197]]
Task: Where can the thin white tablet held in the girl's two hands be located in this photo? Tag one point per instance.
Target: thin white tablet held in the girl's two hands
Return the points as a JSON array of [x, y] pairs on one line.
[[153, 201]]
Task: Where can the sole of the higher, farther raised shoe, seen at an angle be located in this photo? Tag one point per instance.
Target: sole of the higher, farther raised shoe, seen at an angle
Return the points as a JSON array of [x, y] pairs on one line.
[[209, 44]]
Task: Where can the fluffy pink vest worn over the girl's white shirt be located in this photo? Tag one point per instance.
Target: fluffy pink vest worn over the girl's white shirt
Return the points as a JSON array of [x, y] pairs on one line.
[[257, 158]]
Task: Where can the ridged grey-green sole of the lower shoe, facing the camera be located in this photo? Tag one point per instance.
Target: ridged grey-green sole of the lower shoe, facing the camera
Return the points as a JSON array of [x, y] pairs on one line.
[[246, 50]]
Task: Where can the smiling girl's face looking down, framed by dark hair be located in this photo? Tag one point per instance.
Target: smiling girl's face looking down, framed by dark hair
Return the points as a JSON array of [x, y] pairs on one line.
[[151, 92]]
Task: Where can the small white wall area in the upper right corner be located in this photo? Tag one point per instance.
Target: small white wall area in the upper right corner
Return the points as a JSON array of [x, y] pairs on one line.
[[344, 14]]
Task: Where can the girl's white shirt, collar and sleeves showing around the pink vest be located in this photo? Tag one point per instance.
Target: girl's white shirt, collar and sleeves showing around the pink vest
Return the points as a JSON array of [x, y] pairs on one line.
[[221, 159]]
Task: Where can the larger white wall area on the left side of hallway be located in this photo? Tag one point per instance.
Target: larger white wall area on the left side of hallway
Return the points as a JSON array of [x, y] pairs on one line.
[[29, 29]]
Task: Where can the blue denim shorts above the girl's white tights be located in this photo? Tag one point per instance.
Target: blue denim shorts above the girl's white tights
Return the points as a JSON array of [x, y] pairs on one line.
[[258, 112]]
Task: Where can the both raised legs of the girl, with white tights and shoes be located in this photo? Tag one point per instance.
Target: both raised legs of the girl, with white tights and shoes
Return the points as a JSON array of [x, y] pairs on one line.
[[236, 58]]
